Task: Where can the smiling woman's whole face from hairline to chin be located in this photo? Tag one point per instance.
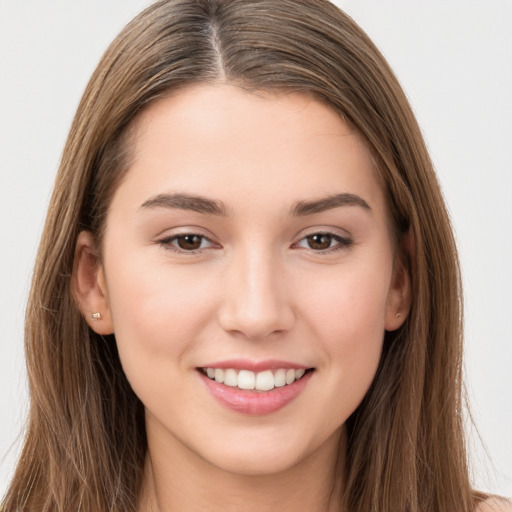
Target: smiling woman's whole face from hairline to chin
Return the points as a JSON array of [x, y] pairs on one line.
[[249, 240]]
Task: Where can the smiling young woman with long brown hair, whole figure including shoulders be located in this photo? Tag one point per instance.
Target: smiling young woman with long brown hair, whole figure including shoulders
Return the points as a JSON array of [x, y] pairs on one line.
[[247, 294]]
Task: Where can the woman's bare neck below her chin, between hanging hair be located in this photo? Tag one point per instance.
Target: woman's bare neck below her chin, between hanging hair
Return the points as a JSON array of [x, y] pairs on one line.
[[177, 480]]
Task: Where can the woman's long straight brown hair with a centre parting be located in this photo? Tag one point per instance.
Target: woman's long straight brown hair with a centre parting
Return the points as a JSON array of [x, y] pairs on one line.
[[85, 442]]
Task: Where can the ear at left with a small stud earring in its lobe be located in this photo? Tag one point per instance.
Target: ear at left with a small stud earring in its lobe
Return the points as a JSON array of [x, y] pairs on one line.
[[89, 287]]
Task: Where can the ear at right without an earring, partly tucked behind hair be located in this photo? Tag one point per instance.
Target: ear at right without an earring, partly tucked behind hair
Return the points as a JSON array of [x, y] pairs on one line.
[[399, 297]]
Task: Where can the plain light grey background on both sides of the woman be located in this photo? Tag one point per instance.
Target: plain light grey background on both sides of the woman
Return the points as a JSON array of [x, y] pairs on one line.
[[454, 59]]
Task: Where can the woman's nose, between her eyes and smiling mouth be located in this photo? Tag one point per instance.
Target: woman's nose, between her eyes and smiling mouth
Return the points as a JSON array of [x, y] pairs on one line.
[[255, 300]]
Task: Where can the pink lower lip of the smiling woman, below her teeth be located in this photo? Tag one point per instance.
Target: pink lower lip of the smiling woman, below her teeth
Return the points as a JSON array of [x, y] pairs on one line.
[[255, 402]]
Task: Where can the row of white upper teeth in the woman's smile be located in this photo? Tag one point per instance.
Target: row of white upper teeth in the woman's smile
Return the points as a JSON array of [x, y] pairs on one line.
[[262, 381]]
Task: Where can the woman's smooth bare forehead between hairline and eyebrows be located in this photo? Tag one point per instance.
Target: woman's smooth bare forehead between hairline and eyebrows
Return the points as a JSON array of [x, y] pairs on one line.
[[239, 146]]
